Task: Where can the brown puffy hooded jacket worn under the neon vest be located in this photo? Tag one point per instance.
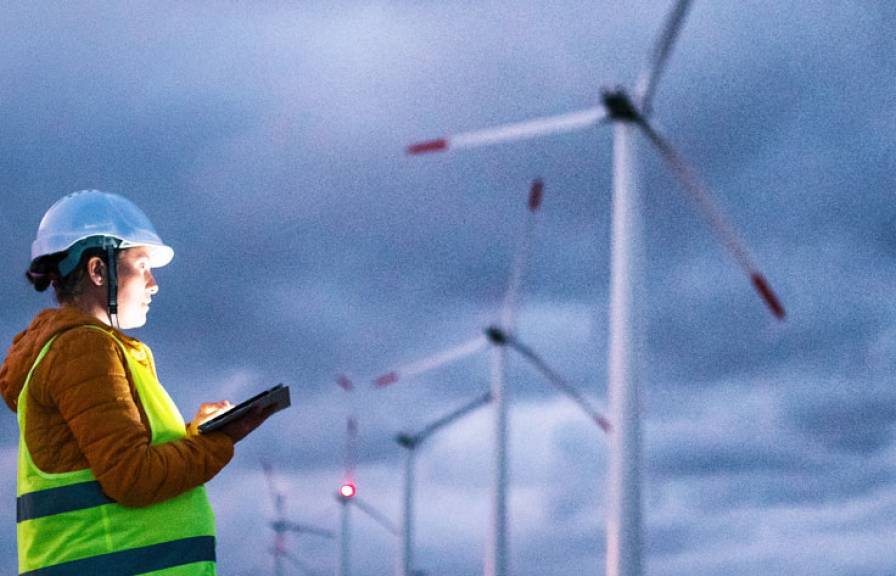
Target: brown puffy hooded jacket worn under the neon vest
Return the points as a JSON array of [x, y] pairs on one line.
[[83, 411]]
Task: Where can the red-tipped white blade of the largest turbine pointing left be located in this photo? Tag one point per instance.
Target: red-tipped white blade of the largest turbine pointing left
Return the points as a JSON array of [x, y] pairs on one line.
[[512, 132]]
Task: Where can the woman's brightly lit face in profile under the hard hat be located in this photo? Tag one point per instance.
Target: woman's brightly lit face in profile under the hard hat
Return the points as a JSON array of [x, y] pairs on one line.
[[136, 287]]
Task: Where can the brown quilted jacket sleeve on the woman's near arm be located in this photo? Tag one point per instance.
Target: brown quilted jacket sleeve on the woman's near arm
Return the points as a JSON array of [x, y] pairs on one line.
[[90, 388]]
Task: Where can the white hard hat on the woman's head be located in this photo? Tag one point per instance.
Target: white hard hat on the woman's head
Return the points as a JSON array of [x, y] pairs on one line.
[[99, 217]]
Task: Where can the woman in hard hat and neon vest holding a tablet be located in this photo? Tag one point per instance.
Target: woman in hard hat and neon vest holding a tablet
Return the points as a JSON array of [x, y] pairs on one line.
[[110, 480]]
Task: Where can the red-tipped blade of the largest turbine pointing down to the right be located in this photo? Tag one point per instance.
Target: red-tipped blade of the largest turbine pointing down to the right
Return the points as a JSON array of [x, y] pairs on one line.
[[717, 222]]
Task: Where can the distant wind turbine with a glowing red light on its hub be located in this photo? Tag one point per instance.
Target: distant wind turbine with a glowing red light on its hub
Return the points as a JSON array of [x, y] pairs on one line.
[[347, 494]]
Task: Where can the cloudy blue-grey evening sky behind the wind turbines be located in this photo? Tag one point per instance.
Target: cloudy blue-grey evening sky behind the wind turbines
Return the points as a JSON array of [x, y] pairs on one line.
[[265, 140]]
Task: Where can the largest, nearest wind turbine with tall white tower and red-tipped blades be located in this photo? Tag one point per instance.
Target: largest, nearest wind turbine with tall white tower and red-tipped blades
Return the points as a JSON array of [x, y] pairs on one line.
[[628, 114]]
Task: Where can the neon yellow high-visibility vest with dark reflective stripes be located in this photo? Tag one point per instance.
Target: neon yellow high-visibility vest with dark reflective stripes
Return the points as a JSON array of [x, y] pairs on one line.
[[67, 525]]
